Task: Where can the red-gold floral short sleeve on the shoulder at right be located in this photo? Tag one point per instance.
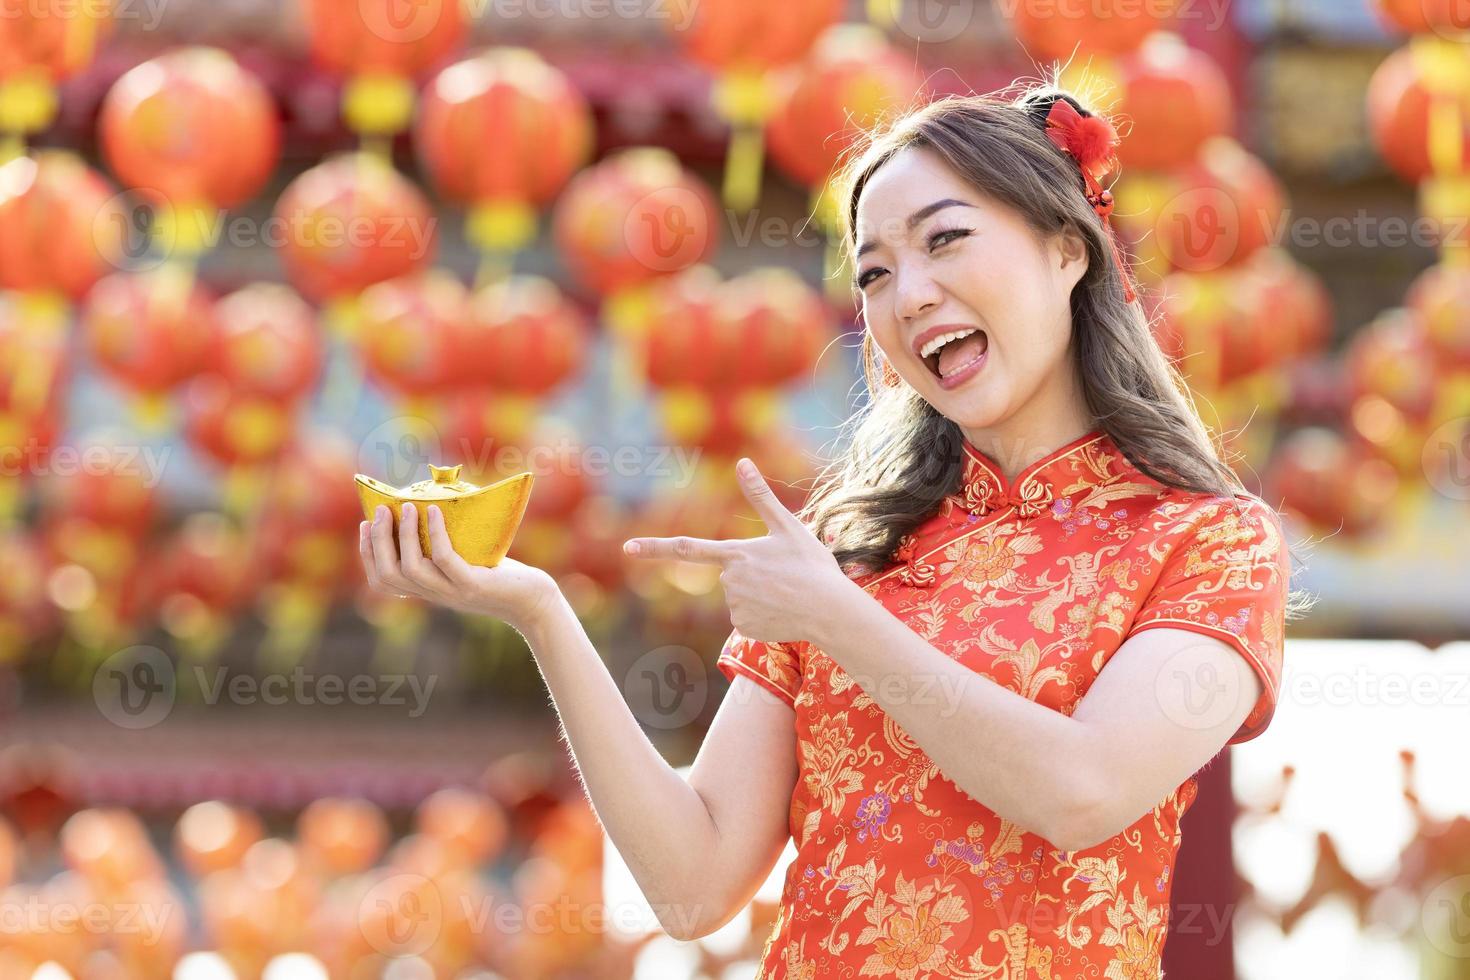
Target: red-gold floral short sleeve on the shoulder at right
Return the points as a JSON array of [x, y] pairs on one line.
[[1227, 575]]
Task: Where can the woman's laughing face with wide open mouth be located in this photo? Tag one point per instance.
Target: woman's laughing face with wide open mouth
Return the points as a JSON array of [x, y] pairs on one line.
[[972, 267]]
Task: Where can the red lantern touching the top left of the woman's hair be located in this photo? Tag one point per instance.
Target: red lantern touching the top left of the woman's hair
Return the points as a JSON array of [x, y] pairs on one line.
[[852, 80]]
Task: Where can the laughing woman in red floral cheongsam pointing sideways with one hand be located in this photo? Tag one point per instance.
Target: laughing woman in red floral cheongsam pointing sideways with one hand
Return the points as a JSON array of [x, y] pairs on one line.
[[975, 677]]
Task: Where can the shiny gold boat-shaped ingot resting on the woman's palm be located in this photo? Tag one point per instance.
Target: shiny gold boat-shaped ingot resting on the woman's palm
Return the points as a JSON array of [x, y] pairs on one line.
[[481, 521]]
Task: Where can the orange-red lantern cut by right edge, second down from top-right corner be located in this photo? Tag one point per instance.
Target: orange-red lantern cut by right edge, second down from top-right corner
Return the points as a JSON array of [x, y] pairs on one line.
[[1416, 105]]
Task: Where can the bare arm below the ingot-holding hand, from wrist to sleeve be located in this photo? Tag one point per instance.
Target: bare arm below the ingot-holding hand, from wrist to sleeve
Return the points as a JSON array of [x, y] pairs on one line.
[[702, 849]]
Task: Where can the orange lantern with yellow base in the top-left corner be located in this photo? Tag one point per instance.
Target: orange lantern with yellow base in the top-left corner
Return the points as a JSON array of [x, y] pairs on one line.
[[40, 45]]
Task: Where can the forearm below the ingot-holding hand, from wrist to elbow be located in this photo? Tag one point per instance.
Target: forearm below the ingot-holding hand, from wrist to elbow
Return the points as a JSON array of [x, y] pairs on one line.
[[659, 824]]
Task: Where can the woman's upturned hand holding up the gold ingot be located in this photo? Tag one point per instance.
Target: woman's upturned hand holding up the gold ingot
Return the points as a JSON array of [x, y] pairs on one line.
[[512, 591]]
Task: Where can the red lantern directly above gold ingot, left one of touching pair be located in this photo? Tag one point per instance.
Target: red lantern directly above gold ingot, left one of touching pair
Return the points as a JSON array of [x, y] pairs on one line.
[[409, 328]]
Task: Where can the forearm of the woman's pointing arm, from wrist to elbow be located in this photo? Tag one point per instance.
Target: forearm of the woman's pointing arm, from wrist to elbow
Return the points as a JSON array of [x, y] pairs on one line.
[[1024, 760]]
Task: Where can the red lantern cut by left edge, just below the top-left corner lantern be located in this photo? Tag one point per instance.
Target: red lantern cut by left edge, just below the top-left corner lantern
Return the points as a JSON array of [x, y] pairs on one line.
[[61, 224]]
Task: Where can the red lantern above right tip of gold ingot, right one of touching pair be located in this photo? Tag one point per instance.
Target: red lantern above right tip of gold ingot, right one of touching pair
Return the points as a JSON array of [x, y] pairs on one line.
[[523, 337]]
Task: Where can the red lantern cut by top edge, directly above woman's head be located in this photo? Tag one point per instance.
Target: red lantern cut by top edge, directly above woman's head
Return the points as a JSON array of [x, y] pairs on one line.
[[1103, 27]]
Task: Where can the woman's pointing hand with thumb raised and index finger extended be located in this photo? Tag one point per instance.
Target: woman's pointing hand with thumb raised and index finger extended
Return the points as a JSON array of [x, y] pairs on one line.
[[780, 588]]
